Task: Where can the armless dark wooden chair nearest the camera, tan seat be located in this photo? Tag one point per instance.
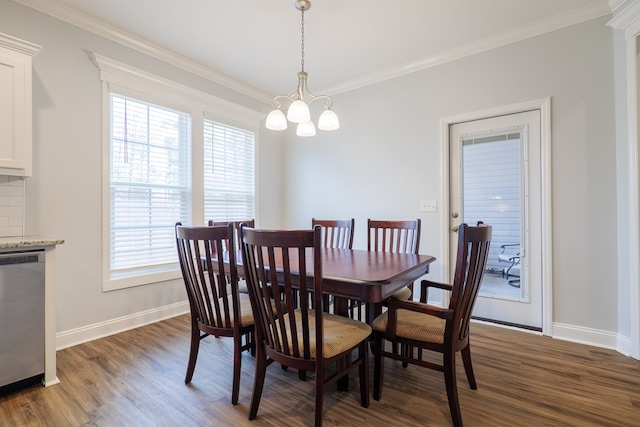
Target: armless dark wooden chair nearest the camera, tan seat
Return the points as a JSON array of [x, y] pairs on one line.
[[303, 336]]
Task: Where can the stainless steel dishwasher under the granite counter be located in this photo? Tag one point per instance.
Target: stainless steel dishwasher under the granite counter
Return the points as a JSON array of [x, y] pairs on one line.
[[21, 318]]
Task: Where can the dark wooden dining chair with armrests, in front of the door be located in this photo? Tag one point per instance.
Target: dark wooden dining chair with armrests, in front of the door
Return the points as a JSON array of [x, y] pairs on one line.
[[420, 326]]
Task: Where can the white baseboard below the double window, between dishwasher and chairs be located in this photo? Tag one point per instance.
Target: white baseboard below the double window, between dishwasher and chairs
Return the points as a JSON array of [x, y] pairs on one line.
[[110, 327]]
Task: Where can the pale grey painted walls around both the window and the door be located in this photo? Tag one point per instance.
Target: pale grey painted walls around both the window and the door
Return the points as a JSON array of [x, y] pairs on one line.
[[381, 163]]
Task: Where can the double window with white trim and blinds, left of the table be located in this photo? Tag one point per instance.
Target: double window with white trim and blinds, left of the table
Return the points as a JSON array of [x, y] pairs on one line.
[[166, 160]]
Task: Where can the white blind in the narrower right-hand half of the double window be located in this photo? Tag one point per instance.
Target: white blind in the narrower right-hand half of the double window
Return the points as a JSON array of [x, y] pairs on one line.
[[229, 189]]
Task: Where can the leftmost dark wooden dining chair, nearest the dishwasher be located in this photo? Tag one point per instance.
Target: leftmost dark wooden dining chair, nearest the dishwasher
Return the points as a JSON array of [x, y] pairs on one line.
[[216, 306]]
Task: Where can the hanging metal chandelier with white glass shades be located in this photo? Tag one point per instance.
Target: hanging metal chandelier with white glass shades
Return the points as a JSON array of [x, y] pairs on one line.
[[298, 111]]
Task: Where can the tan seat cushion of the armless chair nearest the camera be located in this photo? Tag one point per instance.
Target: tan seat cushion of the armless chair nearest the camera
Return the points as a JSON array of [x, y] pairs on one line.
[[340, 333]]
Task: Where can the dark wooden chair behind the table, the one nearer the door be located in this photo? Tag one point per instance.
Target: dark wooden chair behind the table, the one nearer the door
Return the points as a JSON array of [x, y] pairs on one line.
[[398, 237]]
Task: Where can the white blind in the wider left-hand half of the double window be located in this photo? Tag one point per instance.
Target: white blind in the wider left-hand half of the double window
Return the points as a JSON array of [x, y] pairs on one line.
[[150, 184]]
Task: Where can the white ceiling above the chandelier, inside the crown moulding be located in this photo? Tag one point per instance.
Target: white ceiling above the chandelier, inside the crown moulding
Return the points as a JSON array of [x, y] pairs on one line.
[[347, 43]]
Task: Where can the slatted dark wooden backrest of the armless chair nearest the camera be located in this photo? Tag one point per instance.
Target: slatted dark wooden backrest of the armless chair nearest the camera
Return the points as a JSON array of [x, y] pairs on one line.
[[276, 264]]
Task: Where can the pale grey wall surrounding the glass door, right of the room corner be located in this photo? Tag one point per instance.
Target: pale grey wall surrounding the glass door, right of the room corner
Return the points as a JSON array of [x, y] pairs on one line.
[[386, 156]]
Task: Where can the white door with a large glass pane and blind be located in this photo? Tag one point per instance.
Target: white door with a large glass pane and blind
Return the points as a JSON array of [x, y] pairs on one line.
[[495, 177]]
